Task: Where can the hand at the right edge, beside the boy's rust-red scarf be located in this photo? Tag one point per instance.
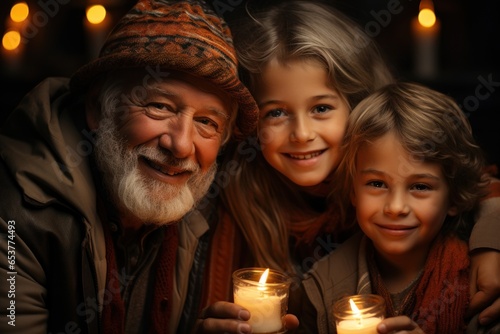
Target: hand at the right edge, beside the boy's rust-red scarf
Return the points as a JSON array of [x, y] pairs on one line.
[[485, 286]]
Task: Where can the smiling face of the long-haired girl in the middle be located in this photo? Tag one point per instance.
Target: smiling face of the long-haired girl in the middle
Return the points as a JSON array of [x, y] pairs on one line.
[[302, 121]]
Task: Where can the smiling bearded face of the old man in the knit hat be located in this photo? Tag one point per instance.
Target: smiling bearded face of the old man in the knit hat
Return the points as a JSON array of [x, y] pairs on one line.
[[158, 149]]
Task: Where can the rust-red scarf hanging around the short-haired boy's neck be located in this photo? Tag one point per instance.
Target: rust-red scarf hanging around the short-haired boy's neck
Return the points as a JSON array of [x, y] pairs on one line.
[[438, 302]]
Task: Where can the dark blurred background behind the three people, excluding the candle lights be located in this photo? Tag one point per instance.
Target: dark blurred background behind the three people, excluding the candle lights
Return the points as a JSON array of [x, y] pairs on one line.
[[469, 49]]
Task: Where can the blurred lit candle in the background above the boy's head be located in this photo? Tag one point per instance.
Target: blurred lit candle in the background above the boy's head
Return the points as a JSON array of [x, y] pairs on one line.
[[425, 29]]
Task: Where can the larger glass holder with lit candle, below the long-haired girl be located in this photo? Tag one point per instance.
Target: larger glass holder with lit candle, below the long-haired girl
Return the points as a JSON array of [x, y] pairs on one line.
[[263, 292]]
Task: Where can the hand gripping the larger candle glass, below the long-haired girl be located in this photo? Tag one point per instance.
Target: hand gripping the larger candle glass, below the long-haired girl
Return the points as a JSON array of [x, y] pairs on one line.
[[225, 317]]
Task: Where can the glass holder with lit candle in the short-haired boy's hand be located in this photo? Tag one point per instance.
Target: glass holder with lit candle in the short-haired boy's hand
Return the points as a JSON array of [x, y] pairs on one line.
[[359, 314]]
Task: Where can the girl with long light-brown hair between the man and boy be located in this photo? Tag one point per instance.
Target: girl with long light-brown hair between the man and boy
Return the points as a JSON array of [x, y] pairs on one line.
[[307, 66]]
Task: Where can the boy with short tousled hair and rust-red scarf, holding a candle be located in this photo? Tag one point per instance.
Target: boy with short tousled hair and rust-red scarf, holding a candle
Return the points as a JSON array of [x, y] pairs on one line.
[[415, 176]]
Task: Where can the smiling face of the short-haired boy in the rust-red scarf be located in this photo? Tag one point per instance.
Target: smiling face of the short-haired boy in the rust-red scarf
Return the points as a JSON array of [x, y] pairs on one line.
[[401, 203]]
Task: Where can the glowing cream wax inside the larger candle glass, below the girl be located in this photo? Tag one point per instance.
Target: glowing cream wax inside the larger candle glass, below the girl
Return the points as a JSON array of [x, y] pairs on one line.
[[265, 310]]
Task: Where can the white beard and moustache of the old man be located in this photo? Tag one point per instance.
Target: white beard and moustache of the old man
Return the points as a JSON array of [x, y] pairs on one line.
[[148, 199]]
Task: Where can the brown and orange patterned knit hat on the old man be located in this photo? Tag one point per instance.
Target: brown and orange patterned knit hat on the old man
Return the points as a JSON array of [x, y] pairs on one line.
[[179, 35]]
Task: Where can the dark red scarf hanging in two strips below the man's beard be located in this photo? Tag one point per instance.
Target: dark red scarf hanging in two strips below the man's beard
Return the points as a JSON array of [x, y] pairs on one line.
[[113, 314]]
